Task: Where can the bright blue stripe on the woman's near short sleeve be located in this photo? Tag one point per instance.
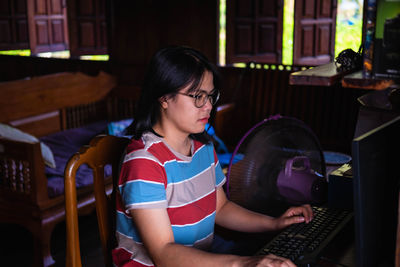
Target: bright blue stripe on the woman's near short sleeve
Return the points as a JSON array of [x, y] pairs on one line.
[[141, 192]]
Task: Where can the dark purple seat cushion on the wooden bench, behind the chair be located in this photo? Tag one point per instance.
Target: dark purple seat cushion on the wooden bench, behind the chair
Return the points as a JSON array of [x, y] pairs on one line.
[[64, 144]]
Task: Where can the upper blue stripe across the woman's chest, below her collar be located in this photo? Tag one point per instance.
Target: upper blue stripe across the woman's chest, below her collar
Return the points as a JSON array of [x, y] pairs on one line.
[[178, 171]]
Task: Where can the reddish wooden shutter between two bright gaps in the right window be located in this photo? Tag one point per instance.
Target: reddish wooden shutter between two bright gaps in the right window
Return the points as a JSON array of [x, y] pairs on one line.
[[314, 32]]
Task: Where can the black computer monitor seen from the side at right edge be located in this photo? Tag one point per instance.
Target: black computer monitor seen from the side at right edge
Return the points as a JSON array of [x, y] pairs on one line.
[[376, 172]]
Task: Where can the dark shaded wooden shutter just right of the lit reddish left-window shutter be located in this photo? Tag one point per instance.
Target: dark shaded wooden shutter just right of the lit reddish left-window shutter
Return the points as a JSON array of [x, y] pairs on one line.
[[88, 27]]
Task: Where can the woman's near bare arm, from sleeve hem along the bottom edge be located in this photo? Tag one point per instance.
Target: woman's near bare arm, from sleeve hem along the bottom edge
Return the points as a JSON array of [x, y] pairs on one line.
[[157, 236]]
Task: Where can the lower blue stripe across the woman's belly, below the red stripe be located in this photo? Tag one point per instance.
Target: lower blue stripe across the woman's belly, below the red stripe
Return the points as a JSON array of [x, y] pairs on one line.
[[189, 234]]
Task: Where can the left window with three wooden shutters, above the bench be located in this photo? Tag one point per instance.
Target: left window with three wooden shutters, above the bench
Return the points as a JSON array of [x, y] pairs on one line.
[[43, 26]]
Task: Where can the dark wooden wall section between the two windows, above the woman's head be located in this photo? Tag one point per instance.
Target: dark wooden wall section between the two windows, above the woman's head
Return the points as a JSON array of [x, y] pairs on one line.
[[140, 28]]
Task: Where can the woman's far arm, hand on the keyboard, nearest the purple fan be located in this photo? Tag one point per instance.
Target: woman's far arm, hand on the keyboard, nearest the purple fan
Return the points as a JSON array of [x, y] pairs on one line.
[[234, 217]]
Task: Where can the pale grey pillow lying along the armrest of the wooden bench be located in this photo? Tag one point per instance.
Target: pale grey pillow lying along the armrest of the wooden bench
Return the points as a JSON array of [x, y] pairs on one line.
[[14, 134]]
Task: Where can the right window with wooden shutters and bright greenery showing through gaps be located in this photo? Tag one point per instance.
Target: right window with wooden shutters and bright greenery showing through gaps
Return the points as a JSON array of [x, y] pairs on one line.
[[299, 32]]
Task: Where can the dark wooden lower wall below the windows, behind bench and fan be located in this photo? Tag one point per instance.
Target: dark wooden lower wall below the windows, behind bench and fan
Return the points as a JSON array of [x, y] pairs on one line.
[[331, 112]]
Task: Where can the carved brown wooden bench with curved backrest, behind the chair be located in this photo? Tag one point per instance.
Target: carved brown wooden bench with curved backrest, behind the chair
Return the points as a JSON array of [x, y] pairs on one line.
[[41, 106]]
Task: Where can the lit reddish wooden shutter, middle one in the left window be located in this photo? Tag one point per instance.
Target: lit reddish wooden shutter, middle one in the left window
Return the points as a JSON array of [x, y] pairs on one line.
[[47, 25]]
